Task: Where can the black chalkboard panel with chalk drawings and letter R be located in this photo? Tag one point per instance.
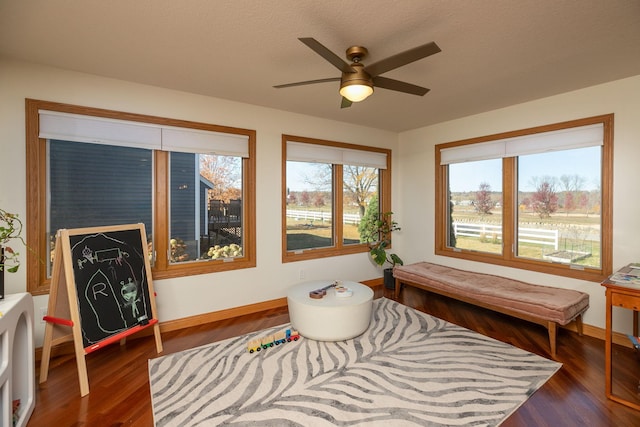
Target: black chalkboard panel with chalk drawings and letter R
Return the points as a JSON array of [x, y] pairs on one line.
[[112, 282]]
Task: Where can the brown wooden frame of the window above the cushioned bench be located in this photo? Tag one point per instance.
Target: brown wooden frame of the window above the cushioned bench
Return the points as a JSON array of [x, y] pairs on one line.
[[509, 215]]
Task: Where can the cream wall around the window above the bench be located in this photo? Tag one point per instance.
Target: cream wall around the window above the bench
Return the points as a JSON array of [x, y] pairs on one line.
[[414, 182]]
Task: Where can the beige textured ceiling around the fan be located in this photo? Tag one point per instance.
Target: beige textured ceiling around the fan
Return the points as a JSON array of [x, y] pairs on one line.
[[495, 53]]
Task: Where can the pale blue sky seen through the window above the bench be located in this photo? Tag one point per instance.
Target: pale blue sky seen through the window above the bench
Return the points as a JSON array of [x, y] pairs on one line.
[[584, 162]]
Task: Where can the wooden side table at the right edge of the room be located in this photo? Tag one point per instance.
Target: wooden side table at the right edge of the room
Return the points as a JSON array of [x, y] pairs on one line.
[[625, 296]]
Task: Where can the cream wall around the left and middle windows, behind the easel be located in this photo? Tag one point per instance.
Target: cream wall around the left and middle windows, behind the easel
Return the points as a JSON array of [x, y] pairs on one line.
[[182, 297]]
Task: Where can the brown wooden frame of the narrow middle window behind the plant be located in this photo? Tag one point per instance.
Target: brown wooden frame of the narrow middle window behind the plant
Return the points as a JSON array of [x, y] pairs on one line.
[[339, 248]]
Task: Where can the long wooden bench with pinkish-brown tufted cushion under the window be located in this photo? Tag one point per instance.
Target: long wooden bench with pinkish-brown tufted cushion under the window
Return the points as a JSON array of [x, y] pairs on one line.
[[544, 305]]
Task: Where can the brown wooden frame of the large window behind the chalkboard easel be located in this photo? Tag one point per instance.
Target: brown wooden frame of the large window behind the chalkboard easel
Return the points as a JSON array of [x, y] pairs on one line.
[[36, 161]]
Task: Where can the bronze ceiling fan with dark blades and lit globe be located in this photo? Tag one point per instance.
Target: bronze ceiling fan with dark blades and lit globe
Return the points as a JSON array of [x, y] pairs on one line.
[[357, 80]]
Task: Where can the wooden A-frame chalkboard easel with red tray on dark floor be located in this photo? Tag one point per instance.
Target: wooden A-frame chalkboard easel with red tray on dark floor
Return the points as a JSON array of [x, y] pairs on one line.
[[101, 288]]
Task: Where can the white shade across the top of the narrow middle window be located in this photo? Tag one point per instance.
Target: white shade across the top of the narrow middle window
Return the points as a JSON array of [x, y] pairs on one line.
[[315, 153]]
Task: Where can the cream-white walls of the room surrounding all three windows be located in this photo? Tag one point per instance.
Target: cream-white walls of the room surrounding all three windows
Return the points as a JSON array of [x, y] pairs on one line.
[[413, 184]]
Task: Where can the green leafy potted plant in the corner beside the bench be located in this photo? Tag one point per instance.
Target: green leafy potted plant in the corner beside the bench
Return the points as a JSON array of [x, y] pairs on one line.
[[378, 234]]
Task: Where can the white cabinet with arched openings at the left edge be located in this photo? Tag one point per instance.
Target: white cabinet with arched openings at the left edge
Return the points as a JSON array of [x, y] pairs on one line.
[[17, 358]]
